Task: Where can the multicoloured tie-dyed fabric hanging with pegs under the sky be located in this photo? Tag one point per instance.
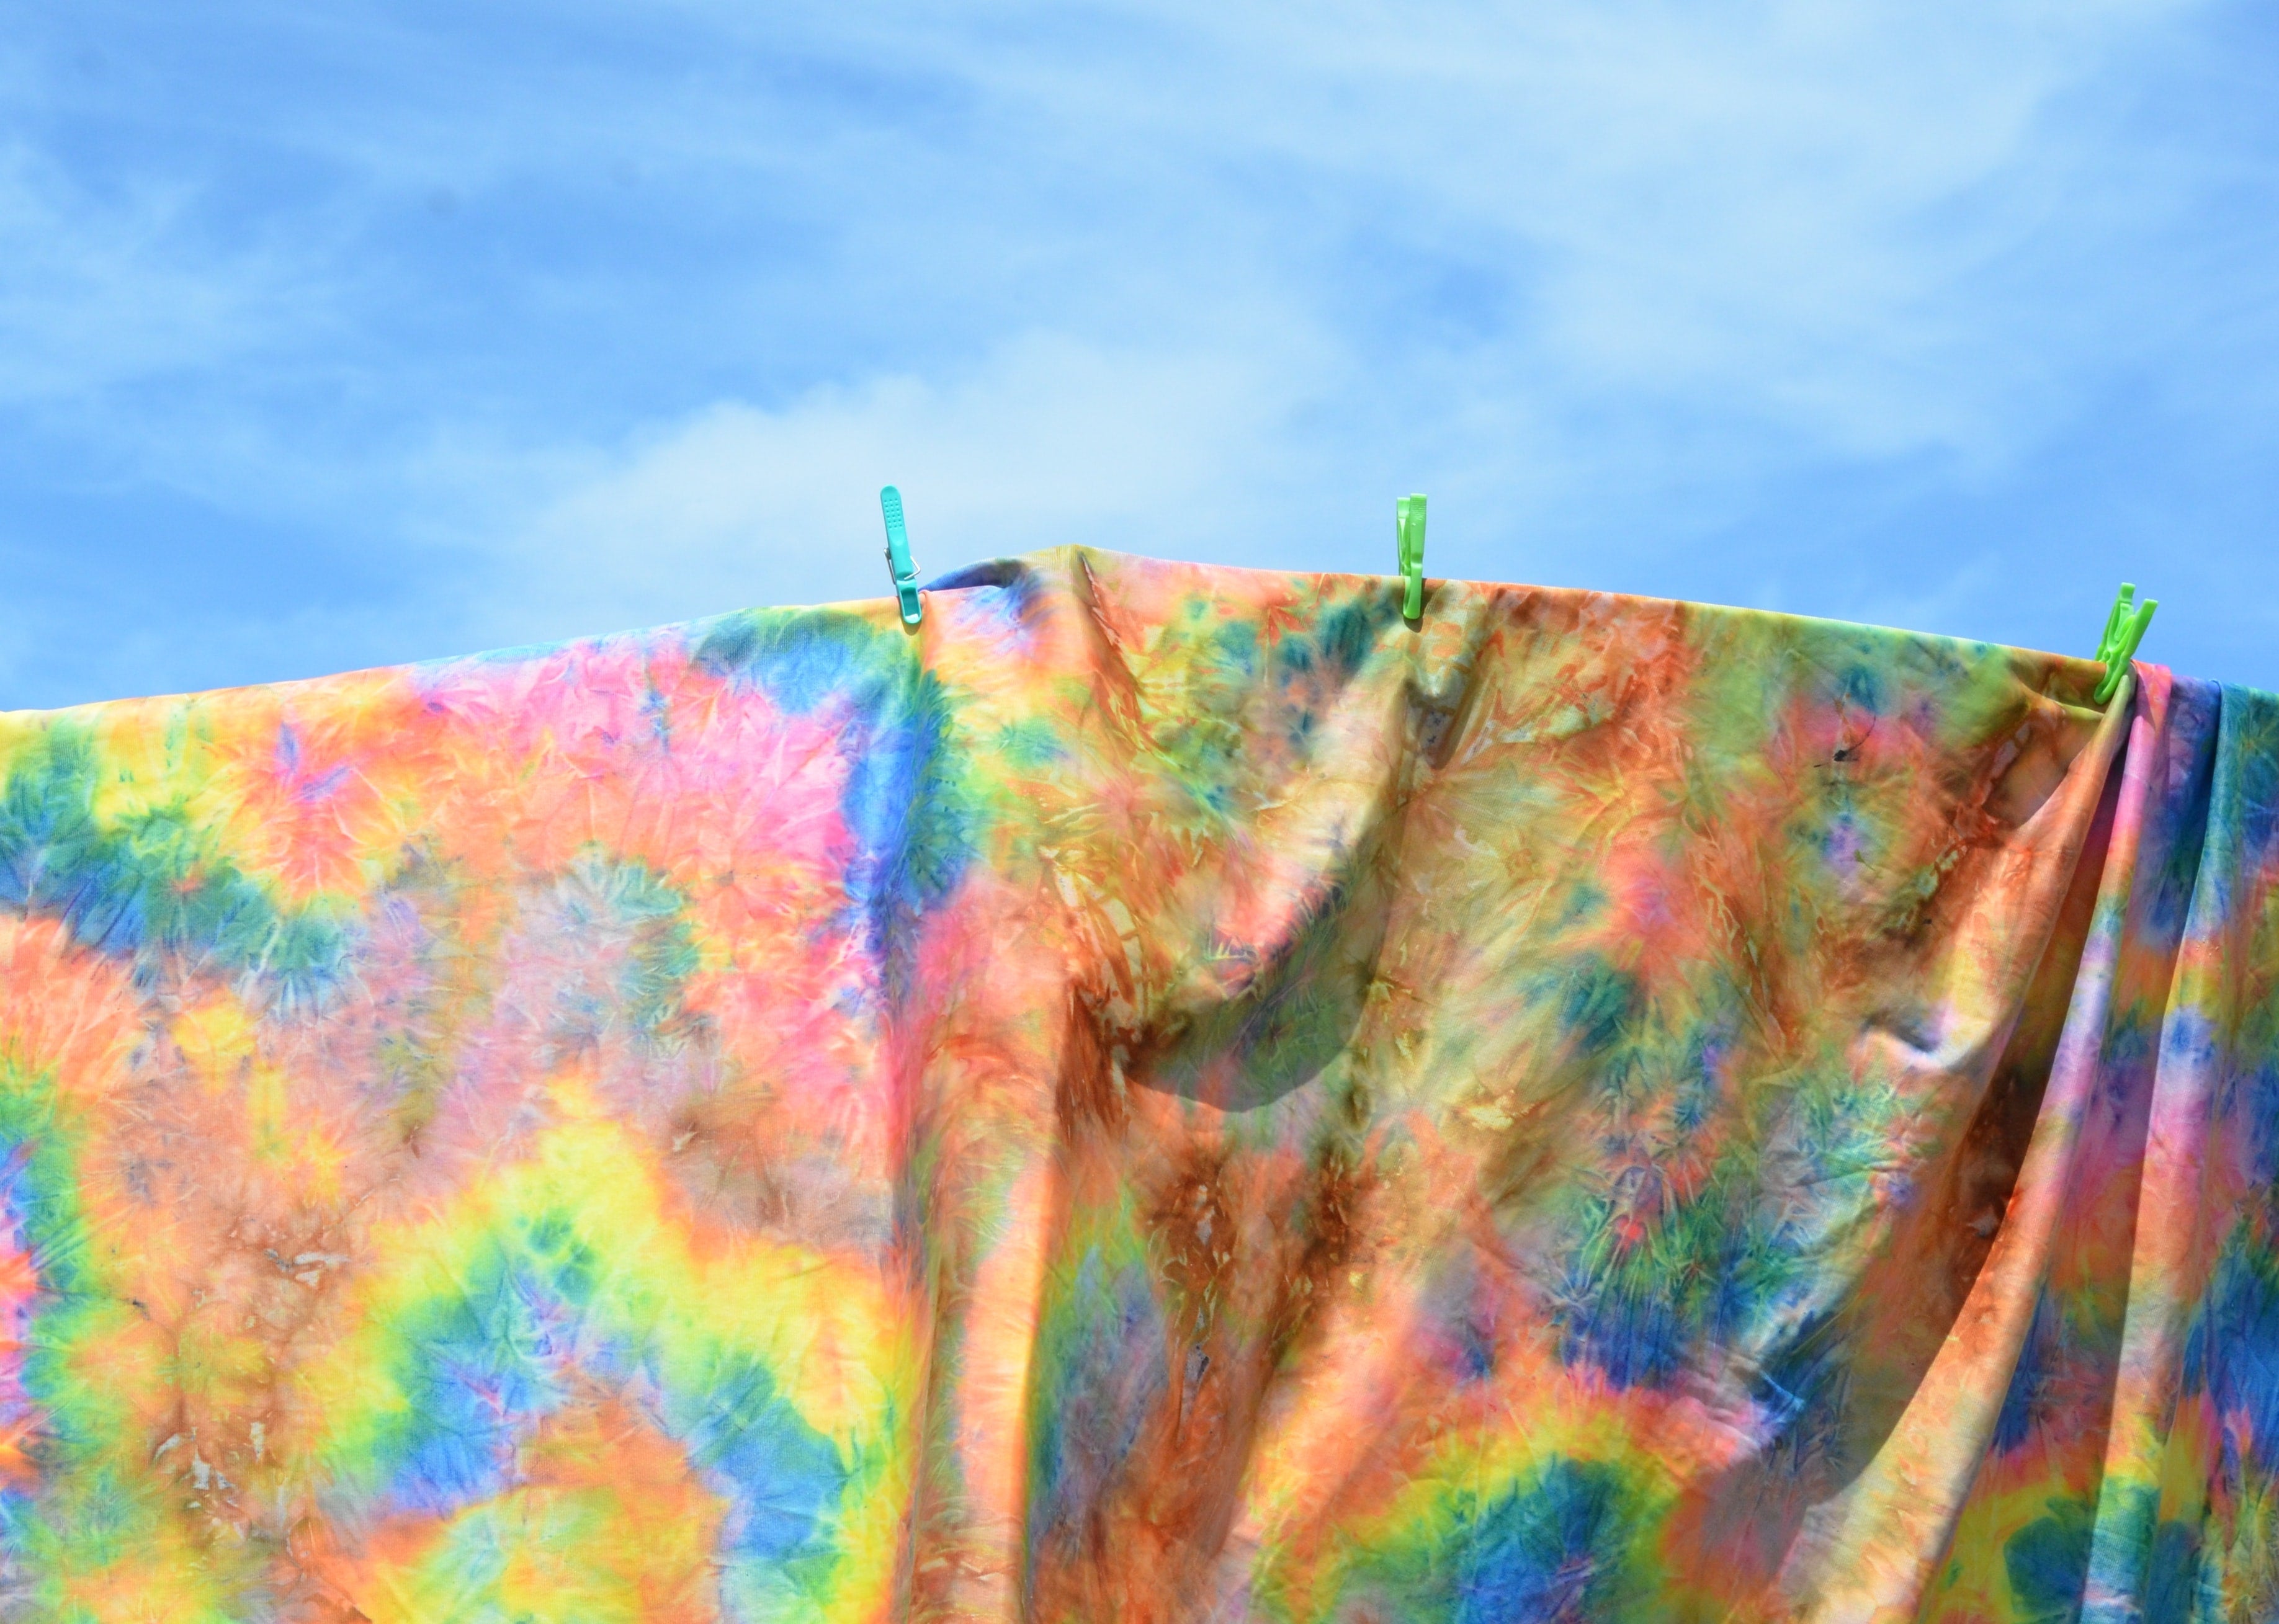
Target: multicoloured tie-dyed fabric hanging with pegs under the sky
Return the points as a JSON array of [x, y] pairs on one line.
[[1166, 1094]]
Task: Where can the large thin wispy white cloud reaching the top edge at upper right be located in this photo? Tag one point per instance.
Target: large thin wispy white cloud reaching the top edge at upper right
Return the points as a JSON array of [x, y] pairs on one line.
[[1792, 213]]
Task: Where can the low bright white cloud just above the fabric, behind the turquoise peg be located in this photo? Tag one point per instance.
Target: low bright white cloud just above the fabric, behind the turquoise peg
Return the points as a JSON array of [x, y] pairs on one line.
[[1047, 441]]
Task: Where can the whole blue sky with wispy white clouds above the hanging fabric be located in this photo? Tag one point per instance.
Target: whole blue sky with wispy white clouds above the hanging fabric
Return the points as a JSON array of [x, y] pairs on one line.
[[350, 334]]
